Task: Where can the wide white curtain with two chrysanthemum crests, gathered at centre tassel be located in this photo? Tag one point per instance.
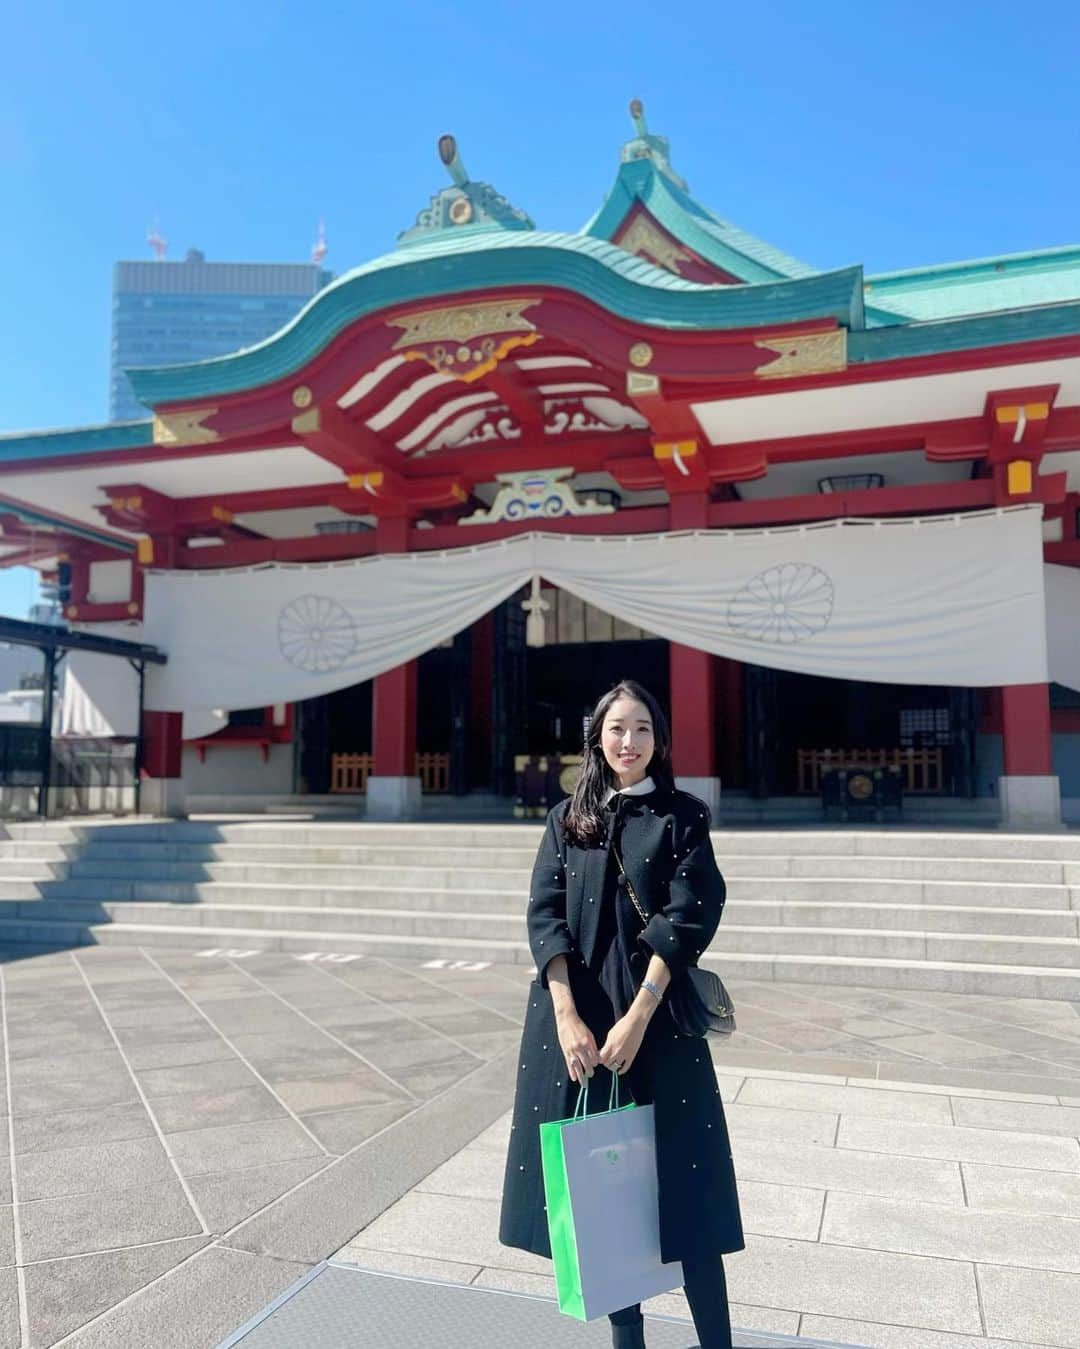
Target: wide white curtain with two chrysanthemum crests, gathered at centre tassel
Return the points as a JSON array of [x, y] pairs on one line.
[[954, 600]]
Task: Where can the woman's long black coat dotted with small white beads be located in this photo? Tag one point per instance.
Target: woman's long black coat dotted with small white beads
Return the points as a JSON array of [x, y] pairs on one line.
[[668, 856]]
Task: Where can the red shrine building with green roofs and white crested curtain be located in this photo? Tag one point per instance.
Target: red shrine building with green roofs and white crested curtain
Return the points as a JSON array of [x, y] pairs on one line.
[[400, 548]]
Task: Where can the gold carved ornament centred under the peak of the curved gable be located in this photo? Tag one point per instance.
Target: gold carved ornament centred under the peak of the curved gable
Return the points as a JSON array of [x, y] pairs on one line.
[[466, 341]]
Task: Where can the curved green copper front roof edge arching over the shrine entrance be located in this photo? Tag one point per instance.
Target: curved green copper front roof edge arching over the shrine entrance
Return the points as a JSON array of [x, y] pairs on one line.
[[451, 264]]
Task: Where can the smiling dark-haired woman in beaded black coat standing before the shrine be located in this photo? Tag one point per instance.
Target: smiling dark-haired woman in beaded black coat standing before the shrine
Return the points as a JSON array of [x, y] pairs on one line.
[[598, 1004]]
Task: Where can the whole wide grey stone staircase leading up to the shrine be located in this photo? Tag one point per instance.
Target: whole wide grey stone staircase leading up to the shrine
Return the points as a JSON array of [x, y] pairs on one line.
[[971, 913]]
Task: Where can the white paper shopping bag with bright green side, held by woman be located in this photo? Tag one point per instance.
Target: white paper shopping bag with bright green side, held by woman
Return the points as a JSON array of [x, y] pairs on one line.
[[603, 1208]]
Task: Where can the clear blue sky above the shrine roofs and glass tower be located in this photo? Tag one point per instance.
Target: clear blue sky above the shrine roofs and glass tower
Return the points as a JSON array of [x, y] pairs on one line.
[[892, 136]]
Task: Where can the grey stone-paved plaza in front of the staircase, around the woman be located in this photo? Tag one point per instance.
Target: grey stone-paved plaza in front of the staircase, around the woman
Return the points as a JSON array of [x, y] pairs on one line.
[[191, 1132]]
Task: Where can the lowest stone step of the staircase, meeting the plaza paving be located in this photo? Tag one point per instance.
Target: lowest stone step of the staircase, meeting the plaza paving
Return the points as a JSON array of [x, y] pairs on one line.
[[944, 976]]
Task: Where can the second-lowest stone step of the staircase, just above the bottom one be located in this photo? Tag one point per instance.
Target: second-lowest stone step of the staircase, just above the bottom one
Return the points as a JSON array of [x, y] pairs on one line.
[[736, 937]]
